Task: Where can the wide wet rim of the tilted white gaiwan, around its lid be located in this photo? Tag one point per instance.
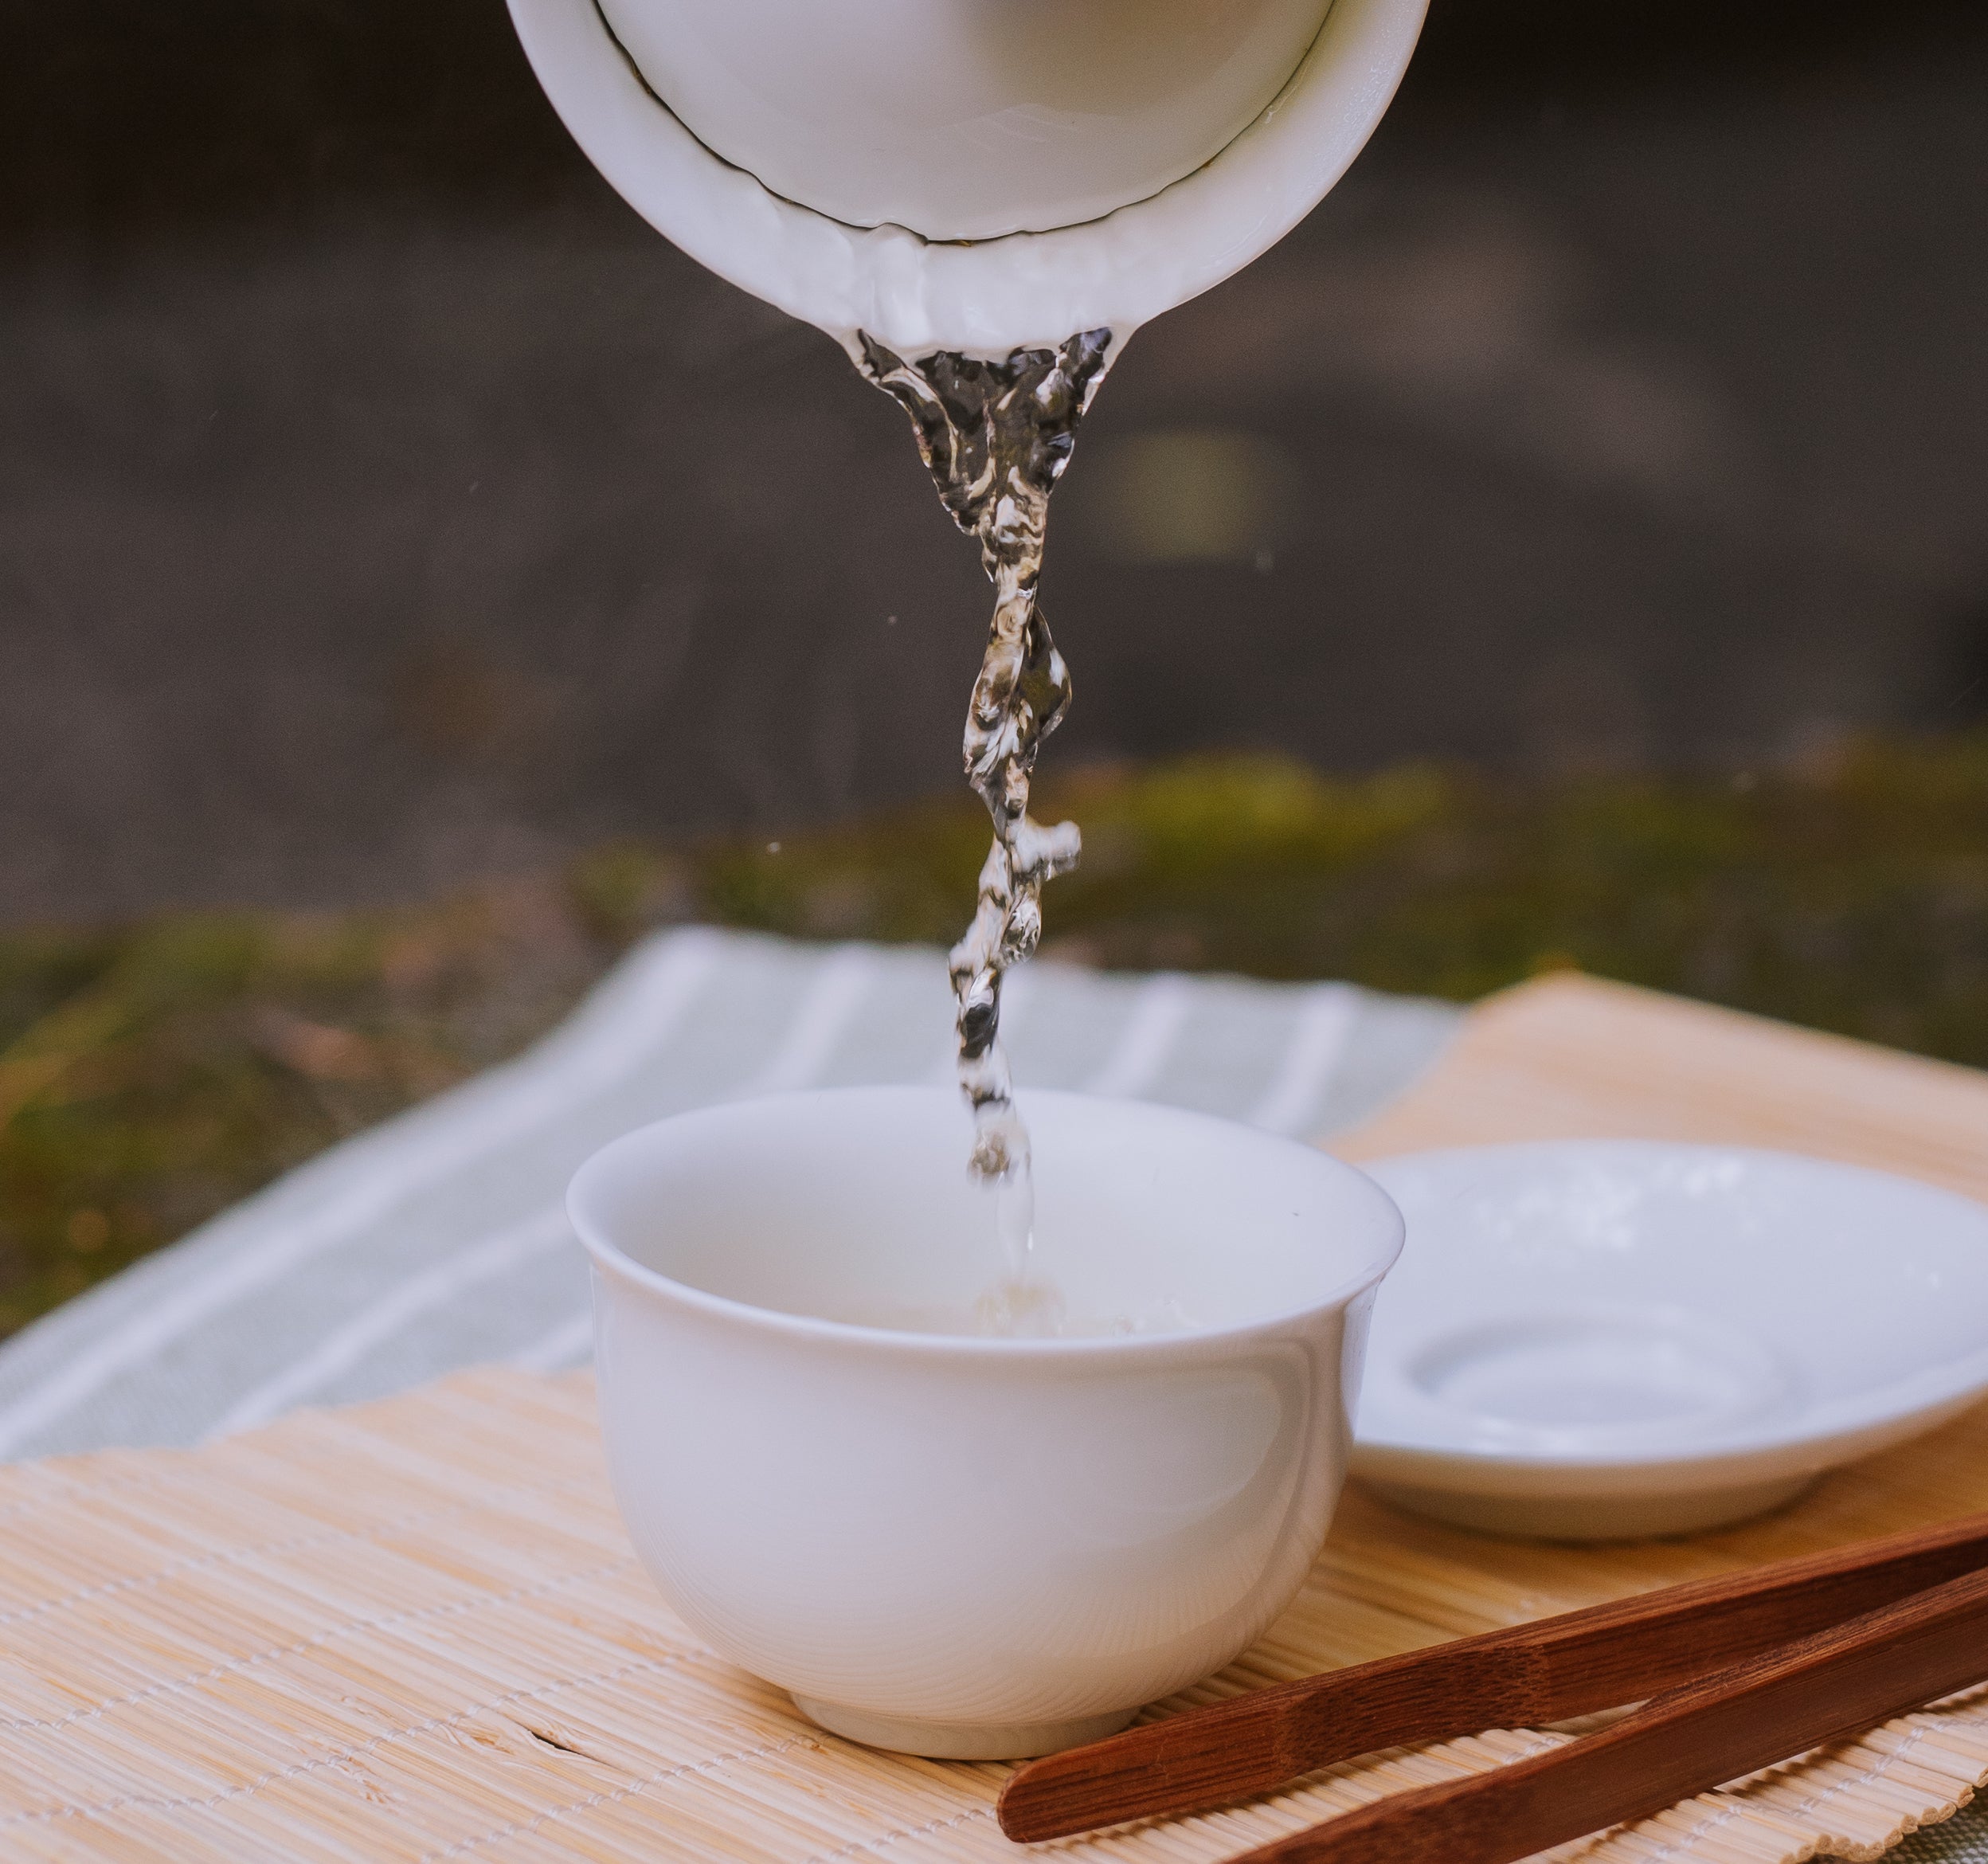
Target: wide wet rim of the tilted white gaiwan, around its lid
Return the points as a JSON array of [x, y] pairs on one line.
[[977, 297]]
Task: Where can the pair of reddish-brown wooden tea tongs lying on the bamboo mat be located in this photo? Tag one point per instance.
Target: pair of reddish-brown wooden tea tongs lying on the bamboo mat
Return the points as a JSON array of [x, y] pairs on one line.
[[1735, 1674]]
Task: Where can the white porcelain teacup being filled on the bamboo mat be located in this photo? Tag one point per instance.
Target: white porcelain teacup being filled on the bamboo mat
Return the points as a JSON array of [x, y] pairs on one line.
[[959, 1545]]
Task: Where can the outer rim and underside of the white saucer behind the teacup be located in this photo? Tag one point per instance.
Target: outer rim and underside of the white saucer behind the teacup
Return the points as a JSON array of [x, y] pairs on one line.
[[1822, 1436]]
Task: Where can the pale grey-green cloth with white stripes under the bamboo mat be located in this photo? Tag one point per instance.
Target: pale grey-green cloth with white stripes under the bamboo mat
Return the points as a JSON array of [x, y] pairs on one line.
[[440, 1239]]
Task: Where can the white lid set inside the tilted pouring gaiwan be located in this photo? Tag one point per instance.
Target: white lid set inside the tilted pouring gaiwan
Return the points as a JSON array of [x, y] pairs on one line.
[[967, 118]]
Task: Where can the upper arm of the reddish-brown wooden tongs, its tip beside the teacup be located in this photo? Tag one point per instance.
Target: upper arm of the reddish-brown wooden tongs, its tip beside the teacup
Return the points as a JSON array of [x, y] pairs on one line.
[[1514, 1678]]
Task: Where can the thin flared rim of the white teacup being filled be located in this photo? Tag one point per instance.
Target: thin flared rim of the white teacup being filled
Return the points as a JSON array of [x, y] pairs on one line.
[[613, 1261]]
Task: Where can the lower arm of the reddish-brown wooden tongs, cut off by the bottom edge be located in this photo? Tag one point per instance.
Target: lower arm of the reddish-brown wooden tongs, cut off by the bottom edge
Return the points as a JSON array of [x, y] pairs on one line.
[[1681, 1744]]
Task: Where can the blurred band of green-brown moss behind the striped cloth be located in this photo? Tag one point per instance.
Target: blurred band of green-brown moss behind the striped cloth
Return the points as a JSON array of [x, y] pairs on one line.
[[154, 1074]]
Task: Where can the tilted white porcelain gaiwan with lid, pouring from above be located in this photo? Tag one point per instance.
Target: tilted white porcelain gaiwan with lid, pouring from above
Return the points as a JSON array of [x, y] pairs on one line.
[[971, 176]]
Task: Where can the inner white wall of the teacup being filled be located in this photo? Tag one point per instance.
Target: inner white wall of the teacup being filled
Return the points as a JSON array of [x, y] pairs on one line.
[[858, 1207]]
